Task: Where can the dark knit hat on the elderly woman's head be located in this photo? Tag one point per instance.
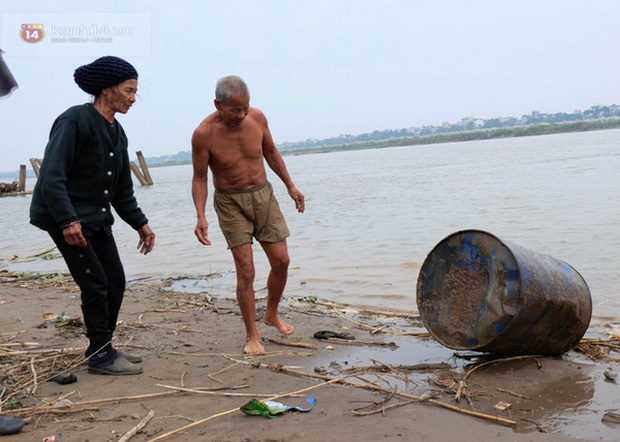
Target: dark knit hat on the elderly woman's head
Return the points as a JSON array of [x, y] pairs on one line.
[[103, 73]]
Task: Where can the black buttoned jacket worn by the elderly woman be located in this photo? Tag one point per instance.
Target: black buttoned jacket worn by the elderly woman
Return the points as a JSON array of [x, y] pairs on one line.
[[85, 168]]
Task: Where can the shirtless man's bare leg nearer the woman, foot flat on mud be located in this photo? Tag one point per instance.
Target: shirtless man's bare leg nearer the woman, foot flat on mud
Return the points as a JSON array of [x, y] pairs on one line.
[[244, 263]]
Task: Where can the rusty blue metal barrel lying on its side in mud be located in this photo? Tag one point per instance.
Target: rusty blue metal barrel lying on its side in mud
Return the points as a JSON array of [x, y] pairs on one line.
[[478, 292]]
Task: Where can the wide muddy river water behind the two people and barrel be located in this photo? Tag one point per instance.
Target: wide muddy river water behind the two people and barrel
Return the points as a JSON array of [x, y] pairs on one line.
[[373, 216]]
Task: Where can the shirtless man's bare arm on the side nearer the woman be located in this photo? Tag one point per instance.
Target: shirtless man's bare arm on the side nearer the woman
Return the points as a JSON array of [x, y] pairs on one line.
[[200, 162]]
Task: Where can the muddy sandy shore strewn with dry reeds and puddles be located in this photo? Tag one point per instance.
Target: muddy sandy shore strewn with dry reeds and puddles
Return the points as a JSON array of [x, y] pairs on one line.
[[194, 342]]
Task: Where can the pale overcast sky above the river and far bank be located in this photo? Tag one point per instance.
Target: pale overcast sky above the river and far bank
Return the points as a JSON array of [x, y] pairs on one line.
[[323, 68]]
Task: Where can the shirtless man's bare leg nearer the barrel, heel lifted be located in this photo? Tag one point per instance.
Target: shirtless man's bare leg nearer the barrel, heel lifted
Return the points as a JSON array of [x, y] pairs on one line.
[[277, 253]]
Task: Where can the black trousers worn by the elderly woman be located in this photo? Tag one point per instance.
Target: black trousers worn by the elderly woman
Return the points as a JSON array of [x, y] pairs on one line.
[[98, 271]]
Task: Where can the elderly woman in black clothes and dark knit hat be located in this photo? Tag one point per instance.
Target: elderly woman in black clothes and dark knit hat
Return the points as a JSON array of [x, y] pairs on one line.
[[85, 170]]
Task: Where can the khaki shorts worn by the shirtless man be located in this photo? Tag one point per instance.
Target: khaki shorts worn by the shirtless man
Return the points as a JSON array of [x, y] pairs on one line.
[[244, 214]]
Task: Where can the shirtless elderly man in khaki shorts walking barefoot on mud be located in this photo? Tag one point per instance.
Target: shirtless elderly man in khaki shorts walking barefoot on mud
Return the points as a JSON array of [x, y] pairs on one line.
[[232, 142]]
